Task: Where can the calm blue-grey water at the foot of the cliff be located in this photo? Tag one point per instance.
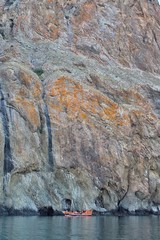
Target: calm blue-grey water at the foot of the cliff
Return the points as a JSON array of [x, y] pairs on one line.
[[78, 228]]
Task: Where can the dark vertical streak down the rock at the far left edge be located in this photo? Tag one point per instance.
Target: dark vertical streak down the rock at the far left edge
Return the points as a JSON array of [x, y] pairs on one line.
[[8, 164]]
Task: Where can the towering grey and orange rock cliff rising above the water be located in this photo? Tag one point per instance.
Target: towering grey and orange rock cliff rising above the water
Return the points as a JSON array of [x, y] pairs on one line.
[[79, 104]]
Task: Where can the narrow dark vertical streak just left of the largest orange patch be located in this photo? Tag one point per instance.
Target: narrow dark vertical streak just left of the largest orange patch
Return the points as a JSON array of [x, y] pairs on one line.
[[51, 158]]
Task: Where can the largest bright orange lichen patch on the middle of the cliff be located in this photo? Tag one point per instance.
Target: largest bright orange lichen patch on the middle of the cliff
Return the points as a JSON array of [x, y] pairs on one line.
[[75, 101]]
